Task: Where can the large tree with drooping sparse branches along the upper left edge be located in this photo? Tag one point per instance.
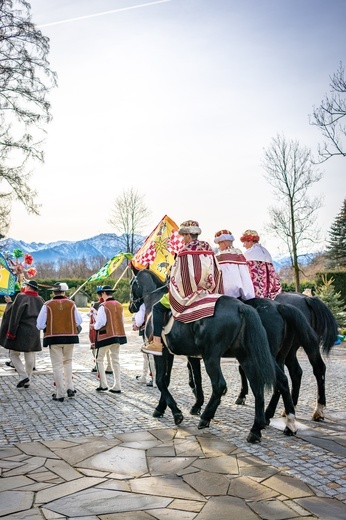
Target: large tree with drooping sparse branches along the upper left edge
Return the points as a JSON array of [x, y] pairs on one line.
[[25, 80]]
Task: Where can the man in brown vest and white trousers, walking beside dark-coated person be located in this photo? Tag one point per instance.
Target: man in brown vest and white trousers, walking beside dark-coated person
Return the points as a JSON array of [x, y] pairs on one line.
[[59, 319]]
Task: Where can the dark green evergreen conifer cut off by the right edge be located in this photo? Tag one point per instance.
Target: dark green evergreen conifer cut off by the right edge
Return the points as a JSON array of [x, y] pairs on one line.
[[336, 249]]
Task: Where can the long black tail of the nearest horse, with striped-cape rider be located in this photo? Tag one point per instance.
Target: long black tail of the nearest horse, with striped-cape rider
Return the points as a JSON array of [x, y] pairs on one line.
[[255, 337]]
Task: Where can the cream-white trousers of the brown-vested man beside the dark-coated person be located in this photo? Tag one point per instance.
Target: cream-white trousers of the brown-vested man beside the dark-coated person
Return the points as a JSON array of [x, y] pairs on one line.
[[61, 358]]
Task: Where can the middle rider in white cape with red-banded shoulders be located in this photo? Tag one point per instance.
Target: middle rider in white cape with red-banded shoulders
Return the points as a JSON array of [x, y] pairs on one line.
[[236, 278]]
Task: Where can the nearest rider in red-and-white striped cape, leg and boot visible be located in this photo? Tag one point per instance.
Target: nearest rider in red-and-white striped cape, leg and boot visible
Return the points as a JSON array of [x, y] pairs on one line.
[[195, 282]]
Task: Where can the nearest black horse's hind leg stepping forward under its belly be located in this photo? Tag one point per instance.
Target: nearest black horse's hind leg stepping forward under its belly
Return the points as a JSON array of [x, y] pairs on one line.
[[219, 388]]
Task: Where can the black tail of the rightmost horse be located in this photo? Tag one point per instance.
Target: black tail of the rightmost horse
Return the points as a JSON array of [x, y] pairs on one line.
[[323, 323]]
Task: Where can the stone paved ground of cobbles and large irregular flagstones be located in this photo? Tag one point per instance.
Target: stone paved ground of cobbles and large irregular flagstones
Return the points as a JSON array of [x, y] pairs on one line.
[[105, 456]]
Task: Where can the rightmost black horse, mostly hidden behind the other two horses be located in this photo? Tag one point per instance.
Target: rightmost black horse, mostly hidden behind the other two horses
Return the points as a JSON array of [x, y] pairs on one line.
[[322, 321]]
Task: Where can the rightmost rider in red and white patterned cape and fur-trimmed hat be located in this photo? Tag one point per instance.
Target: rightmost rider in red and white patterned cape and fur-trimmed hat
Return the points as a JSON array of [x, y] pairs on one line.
[[264, 278]]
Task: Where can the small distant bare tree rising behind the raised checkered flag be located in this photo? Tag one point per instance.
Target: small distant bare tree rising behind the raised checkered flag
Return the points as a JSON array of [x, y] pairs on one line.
[[129, 216]]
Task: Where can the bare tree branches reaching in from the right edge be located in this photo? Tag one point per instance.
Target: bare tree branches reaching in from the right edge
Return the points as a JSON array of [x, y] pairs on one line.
[[329, 118]]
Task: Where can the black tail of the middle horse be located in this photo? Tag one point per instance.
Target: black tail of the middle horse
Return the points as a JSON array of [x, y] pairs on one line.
[[299, 325]]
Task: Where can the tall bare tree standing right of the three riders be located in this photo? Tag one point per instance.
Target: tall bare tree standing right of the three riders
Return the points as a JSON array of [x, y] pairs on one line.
[[290, 171]]
